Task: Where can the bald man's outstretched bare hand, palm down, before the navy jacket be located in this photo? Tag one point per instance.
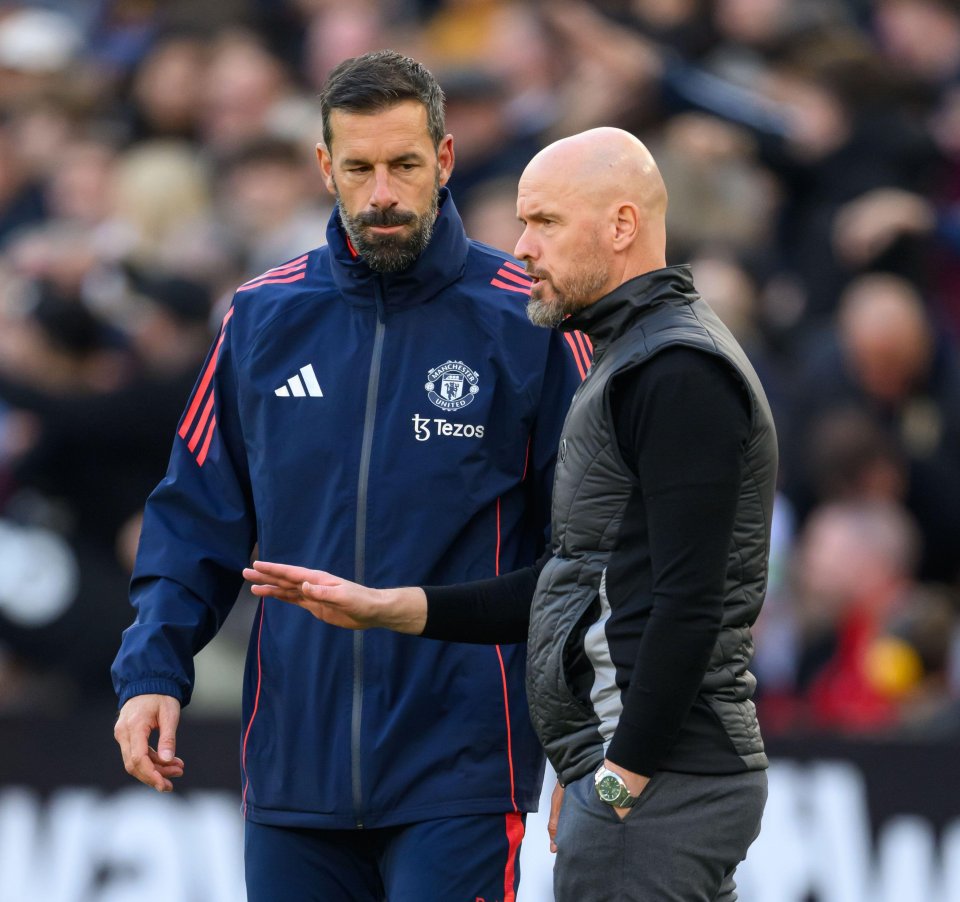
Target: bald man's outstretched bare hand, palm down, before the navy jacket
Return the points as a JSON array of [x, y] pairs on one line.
[[340, 602]]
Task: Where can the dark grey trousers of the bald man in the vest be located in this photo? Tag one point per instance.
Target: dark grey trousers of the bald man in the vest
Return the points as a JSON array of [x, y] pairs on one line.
[[681, 842]]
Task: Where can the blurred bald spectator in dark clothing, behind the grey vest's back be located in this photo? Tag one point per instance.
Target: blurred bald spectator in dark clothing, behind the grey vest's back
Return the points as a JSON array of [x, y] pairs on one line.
[[884, 359]]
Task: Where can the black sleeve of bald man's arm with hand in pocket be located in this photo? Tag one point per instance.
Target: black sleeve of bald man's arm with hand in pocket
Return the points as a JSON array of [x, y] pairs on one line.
[[682, 420]]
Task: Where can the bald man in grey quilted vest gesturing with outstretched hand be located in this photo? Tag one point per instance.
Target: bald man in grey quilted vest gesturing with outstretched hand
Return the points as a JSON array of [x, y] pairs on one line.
[[638, 622]]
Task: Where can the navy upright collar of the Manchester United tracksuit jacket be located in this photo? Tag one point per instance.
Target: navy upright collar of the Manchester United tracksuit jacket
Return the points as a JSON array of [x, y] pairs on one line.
[[441, 263]]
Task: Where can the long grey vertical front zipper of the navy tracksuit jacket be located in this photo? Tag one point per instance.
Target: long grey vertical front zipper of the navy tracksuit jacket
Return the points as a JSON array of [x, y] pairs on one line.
[[360, 550]]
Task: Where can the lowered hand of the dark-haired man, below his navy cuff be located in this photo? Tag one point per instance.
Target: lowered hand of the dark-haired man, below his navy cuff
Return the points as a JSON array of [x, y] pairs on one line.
[[139, 717]]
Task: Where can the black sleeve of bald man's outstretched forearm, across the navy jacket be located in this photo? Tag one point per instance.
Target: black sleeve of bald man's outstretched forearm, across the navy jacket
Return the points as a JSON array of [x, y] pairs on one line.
[[485, 612]]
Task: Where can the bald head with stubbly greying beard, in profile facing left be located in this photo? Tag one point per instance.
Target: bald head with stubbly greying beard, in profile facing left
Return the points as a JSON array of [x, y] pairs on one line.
[[593, 207]]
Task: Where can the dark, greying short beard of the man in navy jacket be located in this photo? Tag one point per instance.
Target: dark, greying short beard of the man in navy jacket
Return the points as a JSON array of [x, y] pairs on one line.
[[391, 253]]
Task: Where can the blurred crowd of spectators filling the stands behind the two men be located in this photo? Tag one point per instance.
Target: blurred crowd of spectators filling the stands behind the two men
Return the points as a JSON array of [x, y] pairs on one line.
[[154, 155]]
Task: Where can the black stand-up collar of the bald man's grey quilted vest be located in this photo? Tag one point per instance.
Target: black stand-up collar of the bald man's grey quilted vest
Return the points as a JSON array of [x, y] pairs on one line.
[[615, 313]]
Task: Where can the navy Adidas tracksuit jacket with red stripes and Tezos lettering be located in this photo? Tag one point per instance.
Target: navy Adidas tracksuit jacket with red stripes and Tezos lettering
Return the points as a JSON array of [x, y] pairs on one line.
[[393, 429]]
